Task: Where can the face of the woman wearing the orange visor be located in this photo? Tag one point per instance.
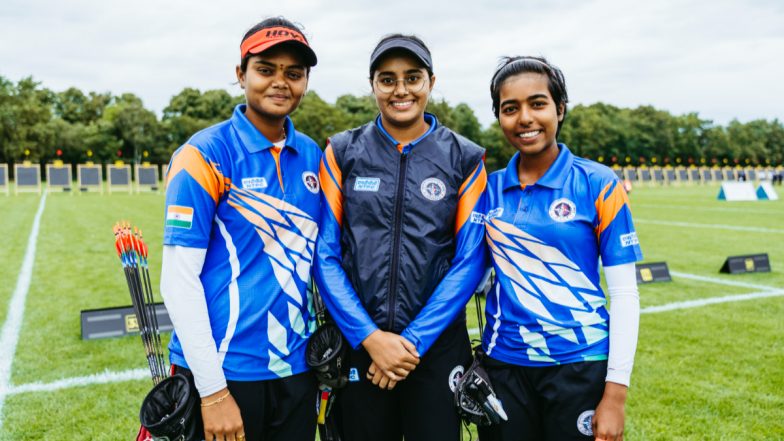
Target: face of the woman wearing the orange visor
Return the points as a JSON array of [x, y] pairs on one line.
[[274, 83]]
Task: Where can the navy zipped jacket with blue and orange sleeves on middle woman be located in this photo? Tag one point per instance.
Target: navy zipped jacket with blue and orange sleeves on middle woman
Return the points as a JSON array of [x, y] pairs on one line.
[[401, 239]]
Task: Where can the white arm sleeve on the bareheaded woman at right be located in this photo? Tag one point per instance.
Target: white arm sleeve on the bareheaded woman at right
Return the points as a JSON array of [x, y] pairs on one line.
[[624, 321]]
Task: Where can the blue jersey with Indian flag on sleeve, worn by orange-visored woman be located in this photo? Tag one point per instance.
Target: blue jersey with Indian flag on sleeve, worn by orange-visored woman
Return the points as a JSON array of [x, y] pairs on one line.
[[255, 208]]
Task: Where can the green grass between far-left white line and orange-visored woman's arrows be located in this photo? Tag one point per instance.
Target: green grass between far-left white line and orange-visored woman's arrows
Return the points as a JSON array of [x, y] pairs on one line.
[[76, 268]]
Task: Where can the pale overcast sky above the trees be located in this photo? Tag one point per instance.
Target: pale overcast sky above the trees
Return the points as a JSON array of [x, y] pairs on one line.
[[723, 59]]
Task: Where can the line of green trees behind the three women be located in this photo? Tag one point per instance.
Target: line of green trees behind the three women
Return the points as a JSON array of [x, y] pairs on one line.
[[41, 125]]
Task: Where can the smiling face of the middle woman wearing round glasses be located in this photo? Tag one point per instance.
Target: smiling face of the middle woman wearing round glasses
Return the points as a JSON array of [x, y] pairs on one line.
[[402, 107]]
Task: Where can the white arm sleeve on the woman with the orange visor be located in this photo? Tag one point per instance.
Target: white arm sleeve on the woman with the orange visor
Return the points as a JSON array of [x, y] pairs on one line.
[[183, 295]]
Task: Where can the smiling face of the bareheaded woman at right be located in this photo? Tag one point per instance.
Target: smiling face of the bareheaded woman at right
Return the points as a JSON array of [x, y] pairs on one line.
[[528, 116]]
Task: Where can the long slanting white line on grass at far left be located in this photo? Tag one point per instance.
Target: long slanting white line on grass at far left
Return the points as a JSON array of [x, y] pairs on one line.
[[9, 336]]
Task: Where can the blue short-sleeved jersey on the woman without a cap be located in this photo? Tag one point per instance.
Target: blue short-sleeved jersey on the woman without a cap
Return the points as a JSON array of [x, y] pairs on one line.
[[546, 240]]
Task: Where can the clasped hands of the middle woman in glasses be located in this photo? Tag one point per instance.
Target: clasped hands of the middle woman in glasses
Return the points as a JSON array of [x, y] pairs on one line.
[[393, 358]]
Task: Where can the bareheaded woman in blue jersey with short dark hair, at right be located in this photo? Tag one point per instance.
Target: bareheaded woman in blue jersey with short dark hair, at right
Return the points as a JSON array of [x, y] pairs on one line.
[[559, 364]]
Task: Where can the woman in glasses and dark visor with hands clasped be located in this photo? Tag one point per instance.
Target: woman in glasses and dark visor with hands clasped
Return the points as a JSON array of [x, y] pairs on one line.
[[400, 252]]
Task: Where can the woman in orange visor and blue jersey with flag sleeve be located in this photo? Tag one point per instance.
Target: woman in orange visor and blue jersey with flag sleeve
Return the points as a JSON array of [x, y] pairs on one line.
[[242, 206]]
